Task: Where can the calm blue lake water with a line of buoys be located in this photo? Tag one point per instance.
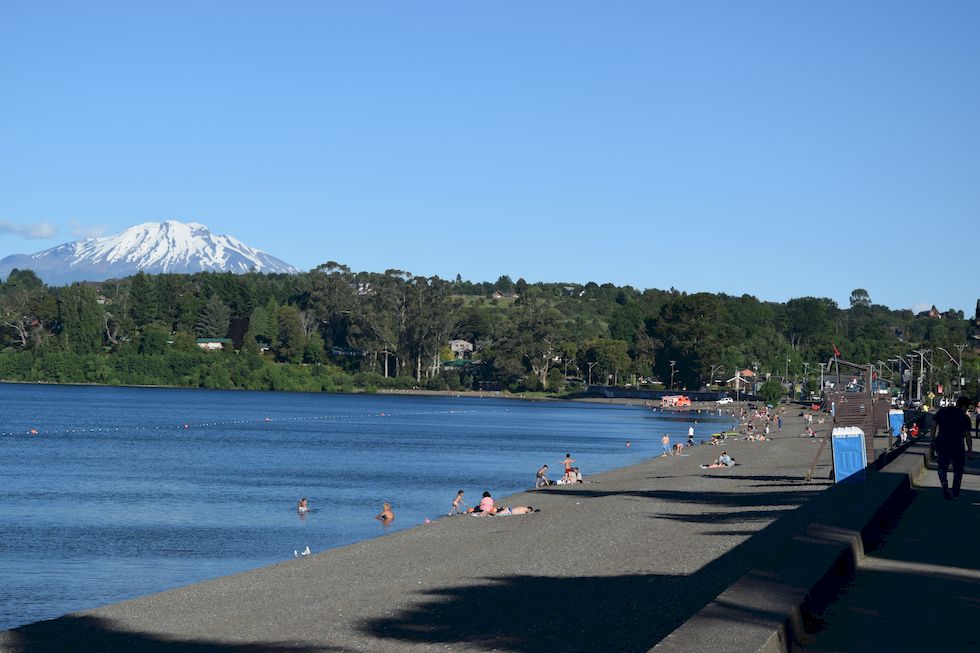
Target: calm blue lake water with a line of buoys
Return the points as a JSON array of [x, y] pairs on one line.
[[114, 497]]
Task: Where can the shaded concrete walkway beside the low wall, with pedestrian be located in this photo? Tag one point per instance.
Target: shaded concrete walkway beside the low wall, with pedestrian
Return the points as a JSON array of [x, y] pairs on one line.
[[919, 590]]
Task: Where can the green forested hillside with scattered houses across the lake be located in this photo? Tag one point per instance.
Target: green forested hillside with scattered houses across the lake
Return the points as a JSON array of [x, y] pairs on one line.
[[333, 328]]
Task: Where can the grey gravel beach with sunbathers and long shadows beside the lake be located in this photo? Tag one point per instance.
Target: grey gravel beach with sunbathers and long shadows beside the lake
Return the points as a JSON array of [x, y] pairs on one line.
[[613, 564]]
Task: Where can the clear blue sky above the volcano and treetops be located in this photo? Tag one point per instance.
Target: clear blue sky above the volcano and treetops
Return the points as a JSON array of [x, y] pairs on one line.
[[780, 149]]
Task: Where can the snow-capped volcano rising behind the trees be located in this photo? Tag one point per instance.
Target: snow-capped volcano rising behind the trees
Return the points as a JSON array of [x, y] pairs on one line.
[[154, 247]]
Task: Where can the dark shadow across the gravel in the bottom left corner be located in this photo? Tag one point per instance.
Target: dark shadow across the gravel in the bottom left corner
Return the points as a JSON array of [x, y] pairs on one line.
[[91, 635]]
